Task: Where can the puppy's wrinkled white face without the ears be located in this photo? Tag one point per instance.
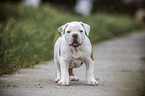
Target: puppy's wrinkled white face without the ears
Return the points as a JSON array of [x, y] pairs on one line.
[[74, 33]]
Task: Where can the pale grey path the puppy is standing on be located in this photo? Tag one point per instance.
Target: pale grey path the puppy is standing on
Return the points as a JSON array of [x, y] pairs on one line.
[[119, 65]]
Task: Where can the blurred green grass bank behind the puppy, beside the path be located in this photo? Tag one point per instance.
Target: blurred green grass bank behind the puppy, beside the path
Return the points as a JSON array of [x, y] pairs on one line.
[[27, 34]]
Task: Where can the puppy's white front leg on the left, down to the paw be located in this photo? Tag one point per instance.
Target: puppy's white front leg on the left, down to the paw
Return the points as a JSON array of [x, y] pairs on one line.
[[64, 72]]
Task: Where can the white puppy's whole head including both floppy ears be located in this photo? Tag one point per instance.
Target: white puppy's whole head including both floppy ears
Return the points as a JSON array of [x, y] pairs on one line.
[[74, 32]]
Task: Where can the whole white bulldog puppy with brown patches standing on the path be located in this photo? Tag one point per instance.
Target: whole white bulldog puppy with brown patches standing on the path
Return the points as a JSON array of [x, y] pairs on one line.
[[71, 50]]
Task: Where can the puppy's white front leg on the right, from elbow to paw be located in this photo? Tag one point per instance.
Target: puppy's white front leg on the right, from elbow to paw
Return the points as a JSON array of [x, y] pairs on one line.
[[90, 72]]
